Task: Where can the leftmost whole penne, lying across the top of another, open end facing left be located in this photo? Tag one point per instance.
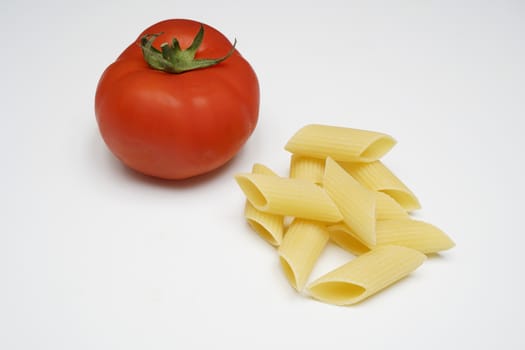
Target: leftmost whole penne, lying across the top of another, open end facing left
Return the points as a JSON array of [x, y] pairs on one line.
[[292, 197]]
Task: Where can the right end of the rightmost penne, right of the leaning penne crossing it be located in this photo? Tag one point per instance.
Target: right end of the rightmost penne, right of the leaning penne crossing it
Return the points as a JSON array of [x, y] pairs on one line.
[[414, 234]]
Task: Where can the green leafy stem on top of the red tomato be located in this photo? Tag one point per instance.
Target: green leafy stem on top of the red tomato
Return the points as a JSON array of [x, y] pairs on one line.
[[173, 59]]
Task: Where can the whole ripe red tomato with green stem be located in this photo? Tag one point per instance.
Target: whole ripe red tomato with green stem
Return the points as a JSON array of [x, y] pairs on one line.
[[176, 125]]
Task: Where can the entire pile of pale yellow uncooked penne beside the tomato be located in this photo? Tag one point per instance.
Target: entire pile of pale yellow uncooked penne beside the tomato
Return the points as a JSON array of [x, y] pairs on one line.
[[338, 189]]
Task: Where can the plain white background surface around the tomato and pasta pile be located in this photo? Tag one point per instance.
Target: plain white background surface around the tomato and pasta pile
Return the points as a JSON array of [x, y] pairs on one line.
[[93, 256]]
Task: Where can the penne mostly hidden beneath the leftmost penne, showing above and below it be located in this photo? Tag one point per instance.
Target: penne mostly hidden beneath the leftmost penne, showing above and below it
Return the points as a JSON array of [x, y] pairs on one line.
[[268, 226]]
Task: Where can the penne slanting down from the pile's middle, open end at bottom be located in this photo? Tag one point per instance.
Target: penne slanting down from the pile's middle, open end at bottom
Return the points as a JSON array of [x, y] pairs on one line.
[[302, 244]]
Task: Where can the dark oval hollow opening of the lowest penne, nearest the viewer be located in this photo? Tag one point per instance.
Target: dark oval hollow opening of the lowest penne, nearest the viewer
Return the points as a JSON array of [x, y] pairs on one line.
[[337, 292]]
